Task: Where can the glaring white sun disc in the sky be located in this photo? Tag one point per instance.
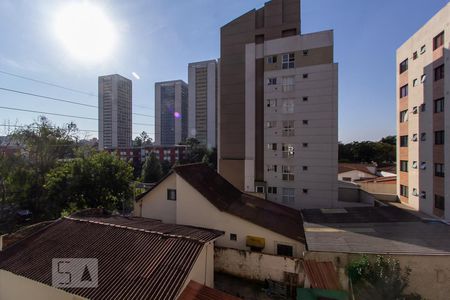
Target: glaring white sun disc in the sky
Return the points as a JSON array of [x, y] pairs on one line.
[[85, 32]]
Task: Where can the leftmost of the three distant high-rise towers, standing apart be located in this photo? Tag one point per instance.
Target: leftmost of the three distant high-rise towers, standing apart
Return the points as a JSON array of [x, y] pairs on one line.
[[114, 111]]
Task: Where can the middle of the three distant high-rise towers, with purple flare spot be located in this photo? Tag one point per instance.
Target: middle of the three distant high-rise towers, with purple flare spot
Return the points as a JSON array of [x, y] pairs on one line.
[[171, 112]]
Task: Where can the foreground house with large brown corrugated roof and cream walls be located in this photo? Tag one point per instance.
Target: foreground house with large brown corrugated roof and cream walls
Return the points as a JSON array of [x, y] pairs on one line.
[[137, 258]]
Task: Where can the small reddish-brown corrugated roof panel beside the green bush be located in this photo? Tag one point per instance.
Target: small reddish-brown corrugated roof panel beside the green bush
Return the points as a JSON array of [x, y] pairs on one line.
[[322, 275]]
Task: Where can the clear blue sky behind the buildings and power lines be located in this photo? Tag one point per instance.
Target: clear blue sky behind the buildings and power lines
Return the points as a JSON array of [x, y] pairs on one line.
[[157, 39]]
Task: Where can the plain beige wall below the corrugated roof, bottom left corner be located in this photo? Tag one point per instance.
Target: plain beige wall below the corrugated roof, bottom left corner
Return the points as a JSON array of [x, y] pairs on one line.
[[14, 287]]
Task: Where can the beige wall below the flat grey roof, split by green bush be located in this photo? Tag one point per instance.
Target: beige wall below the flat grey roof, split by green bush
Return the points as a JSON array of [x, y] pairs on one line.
[[430, 275]]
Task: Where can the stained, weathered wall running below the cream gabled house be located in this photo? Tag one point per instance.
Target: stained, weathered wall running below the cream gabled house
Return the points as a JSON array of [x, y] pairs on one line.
[[256, 266]]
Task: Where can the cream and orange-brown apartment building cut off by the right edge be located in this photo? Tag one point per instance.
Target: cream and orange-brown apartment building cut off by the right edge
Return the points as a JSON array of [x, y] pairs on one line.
[[423, 118]]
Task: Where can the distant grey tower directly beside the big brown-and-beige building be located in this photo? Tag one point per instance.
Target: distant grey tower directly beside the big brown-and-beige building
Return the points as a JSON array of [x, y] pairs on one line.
[[202, 80]]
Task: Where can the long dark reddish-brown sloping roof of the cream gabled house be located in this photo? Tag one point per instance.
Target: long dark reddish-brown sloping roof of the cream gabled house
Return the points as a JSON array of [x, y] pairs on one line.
[[225, 197]]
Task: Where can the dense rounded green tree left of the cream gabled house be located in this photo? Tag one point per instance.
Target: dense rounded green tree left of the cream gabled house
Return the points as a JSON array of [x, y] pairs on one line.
[[101, 180]]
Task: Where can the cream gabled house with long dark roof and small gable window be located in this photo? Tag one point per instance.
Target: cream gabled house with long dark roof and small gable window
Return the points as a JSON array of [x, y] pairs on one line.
[[197, 195]]
